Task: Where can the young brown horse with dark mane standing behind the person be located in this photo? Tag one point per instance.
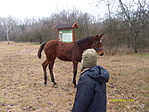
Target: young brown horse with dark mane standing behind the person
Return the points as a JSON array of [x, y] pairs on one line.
[[68, 52]]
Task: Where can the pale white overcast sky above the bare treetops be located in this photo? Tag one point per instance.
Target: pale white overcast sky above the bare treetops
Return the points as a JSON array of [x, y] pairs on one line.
[[44, 8]]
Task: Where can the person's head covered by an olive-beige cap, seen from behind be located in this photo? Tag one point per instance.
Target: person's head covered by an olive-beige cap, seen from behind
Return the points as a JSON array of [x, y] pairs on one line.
[[89, 59]]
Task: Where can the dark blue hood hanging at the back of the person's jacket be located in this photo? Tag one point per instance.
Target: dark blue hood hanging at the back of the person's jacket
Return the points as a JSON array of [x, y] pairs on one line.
[[98, 73]]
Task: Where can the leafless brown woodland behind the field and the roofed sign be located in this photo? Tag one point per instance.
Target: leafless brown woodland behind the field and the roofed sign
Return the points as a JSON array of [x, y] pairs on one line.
[[126, 29]]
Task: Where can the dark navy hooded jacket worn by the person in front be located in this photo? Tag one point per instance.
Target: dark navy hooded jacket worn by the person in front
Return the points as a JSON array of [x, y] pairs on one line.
[[91, 90]]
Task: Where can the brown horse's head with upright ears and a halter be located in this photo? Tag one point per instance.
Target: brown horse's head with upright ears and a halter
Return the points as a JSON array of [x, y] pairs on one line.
[[97, 45]]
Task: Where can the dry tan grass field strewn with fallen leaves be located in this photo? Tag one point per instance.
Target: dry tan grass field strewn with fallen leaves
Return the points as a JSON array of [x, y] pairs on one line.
[[22, 88]]
